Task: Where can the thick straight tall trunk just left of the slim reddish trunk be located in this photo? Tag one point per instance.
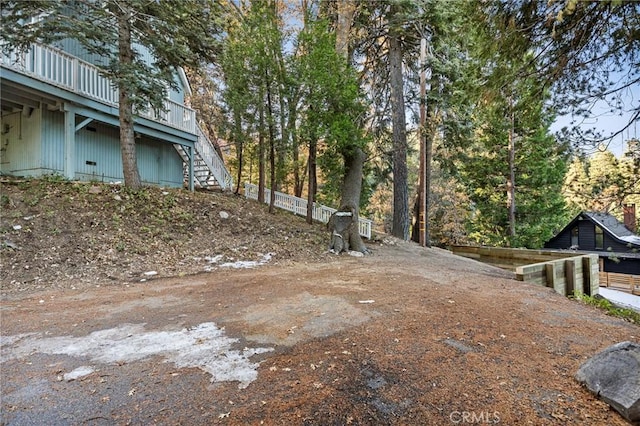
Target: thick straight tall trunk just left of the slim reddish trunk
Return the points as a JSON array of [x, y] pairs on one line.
[[400, 226]]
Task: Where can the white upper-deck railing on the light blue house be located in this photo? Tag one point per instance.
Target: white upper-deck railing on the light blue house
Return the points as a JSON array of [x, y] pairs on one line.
[[68, 72]]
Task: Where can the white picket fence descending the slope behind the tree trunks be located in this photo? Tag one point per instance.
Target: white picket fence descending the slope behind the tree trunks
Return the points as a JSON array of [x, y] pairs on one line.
[[299, 207]]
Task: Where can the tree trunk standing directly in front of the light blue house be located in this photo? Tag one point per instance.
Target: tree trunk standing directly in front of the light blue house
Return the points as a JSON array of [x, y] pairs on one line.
[[125, 109]]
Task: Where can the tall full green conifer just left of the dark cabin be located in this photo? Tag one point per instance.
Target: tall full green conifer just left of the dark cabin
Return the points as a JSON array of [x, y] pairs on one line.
[[509, 107]]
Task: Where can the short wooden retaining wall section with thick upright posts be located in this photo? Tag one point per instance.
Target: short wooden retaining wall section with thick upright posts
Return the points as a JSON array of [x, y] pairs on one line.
[[574, 275]]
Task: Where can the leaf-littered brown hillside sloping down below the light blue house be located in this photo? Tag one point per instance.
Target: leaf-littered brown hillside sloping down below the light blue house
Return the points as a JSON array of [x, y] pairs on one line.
[[59, 234]]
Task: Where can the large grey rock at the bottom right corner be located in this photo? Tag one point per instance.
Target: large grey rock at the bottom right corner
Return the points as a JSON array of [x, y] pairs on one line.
[[614, 376]]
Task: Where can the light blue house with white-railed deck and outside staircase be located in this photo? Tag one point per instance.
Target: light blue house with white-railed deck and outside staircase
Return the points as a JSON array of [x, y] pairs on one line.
[[60, 116]]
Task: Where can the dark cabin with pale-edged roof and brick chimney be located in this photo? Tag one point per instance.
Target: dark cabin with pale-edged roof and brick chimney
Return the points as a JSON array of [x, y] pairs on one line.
[[615, 242]]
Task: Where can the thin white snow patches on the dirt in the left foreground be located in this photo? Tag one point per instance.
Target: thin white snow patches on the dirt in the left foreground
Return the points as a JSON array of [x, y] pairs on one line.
[[204, 346]]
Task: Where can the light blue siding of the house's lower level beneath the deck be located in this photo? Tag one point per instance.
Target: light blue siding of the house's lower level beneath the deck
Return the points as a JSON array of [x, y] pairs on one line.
[[34, 146]]
